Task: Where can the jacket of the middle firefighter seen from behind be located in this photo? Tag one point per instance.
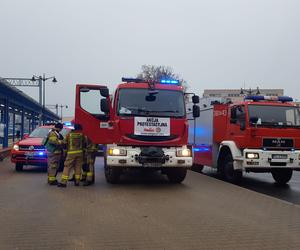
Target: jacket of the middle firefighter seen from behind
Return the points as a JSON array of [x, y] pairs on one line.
[[75, 142]]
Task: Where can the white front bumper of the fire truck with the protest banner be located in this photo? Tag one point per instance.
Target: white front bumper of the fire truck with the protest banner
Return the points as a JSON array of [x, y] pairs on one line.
[[148, 157]]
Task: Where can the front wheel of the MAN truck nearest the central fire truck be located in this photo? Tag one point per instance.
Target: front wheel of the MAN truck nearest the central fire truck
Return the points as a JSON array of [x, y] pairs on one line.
[[227, 171]]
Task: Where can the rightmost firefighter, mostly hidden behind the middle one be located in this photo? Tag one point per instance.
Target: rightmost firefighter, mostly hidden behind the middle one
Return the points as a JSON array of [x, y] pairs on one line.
[[90, 156]]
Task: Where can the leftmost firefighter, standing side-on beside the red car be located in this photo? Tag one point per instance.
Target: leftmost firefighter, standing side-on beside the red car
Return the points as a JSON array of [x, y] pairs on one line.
[[54, 145]]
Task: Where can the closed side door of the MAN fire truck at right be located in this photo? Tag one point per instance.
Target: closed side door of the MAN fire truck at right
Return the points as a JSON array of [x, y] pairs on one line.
[[237, 124]]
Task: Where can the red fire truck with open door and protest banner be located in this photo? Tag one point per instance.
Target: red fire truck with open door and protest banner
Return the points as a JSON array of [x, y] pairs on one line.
[[143, 126]]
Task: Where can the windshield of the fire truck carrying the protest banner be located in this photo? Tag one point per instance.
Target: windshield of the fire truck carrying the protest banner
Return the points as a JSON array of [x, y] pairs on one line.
[[145, 102]]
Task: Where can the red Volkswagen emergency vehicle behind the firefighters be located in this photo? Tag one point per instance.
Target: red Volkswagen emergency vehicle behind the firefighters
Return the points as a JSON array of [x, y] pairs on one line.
[[30, 150]]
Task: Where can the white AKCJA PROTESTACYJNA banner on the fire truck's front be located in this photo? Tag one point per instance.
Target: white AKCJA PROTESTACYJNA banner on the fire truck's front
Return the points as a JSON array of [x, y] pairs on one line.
[[152, 126]]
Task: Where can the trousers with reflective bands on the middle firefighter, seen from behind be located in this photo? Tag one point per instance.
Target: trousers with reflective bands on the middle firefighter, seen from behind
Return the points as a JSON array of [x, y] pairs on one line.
[[72, 161]]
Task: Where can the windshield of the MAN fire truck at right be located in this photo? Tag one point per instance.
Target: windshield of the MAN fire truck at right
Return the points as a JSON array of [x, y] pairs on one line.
[[274, 116]]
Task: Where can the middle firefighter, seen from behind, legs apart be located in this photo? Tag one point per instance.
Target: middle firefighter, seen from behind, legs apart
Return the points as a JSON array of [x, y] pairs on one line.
[[75, 144]]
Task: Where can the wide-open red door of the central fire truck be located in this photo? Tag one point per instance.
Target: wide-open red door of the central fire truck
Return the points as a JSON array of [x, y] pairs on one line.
[[93, 112]]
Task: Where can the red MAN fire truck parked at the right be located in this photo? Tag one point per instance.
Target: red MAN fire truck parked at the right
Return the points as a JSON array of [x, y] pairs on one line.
[[260, 134]]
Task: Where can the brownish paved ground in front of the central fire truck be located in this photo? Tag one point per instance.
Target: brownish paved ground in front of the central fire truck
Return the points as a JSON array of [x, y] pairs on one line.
[[144, 211]]
